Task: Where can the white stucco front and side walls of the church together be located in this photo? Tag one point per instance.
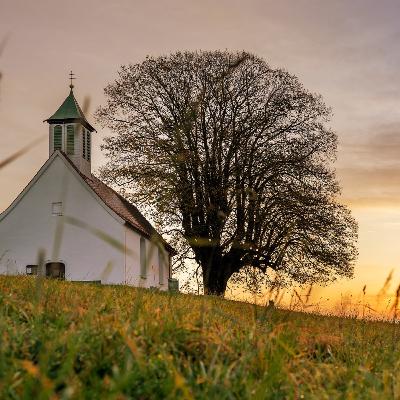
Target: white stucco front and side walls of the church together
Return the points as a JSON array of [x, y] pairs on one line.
[[29, 226]]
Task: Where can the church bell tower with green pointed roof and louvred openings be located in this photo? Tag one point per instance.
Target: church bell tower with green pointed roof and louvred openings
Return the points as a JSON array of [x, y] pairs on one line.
[[71, 133]]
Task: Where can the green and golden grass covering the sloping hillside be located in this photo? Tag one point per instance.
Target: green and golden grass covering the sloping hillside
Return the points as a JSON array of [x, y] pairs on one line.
[[69, 340]]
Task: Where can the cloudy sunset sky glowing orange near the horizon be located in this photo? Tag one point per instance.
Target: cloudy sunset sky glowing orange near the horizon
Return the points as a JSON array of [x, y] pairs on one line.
[[348, 51]]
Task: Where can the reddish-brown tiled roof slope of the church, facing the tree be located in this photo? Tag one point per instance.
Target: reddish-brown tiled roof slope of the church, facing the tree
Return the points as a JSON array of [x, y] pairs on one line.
[[122, 207]]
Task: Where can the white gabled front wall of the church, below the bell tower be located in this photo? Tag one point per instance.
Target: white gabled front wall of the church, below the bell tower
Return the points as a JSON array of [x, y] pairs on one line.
[[30, 226]]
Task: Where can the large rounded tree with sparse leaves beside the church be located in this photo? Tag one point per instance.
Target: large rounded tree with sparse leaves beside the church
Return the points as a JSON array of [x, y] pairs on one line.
[[237, 158]]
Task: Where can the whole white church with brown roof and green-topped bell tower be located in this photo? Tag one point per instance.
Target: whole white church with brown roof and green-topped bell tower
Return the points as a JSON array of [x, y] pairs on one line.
[[85, 230]]
